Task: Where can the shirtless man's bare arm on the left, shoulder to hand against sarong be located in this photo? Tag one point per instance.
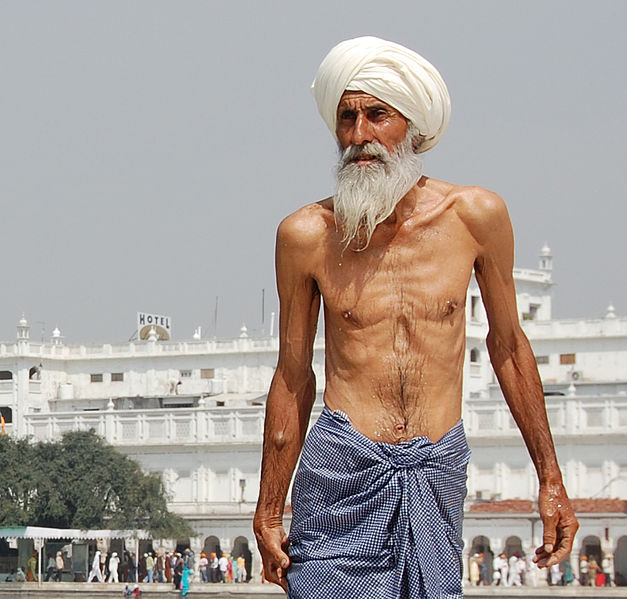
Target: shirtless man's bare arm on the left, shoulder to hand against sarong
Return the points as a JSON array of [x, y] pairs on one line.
[[292, 391]]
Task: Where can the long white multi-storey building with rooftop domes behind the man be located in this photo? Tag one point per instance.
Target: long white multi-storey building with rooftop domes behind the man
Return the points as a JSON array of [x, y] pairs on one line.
[[193, 410]]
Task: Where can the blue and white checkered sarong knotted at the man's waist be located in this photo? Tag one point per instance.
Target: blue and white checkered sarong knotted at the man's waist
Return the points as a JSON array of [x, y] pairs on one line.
[[376, 520]]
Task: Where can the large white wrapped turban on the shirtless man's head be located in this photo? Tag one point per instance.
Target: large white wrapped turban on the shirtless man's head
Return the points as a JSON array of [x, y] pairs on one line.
[[390, 72]]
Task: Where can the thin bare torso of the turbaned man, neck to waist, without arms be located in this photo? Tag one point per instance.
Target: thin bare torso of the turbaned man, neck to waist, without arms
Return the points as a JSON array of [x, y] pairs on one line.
[[395, 320]]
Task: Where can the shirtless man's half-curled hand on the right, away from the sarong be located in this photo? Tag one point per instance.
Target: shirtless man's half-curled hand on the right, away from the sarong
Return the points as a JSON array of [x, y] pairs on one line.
[[560, 525]]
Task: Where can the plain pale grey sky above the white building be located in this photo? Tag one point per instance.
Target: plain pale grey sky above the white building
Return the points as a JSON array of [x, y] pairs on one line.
[[149, 149]]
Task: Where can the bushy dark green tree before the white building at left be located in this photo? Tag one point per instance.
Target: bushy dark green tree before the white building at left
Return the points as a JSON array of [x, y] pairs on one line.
[[82, 482]]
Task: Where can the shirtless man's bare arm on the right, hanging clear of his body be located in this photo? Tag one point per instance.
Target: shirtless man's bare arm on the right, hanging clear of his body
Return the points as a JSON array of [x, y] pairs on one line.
[[515, 367]]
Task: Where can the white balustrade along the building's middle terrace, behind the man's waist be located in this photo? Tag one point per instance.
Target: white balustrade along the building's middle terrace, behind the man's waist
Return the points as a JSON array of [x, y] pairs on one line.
[[224, 425]]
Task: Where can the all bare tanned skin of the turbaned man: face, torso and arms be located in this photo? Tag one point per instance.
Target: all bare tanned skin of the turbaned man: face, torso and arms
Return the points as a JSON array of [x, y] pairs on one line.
[[395, 331]]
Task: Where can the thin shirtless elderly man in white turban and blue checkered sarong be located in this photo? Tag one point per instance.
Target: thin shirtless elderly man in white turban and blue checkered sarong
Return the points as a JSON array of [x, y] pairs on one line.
[[378, 496]]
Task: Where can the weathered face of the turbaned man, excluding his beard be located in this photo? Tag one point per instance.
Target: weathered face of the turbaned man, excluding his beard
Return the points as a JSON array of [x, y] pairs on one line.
[[362, 118]]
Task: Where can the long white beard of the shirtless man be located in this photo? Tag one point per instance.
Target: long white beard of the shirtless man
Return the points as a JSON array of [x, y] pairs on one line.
[[367, 195]]
